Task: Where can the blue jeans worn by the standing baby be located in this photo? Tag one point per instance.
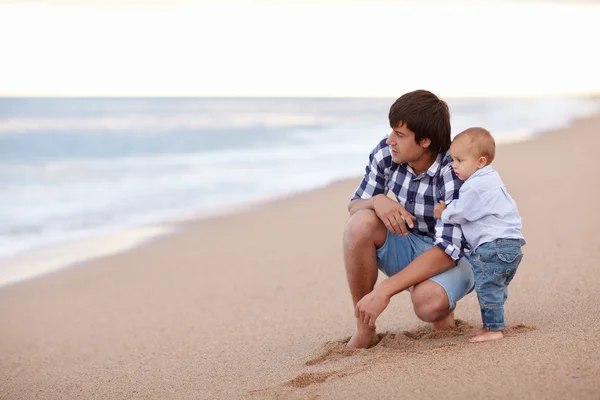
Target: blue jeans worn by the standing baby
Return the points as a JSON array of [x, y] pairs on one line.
[[494, 265]]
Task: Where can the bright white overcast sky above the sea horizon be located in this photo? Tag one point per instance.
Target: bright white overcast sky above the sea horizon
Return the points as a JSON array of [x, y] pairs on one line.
[[292, 48]]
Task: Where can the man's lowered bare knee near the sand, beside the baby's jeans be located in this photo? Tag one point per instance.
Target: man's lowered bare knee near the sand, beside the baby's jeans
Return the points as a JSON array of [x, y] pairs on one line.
[[430, 301]]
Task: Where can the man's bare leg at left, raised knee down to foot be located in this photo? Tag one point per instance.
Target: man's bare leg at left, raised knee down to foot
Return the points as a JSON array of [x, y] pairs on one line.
[[364, 234]]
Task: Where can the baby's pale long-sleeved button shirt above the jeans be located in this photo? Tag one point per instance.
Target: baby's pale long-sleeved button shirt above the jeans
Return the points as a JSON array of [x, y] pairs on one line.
[[484, 210]]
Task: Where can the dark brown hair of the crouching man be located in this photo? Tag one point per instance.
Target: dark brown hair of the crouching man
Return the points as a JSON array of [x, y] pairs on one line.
[[426, 115]]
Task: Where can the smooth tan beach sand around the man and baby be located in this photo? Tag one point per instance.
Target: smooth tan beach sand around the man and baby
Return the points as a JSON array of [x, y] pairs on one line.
[[255, 305]]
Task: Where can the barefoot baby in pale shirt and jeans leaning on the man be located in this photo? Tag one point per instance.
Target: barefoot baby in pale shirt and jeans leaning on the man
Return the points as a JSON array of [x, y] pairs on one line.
[[490, 223]]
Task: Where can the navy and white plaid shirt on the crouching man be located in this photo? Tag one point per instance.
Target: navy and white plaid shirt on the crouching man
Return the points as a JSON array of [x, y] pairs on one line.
[[418, 194]]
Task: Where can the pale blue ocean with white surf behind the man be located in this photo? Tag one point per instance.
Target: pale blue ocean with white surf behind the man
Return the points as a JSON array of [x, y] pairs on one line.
[[77, 168]]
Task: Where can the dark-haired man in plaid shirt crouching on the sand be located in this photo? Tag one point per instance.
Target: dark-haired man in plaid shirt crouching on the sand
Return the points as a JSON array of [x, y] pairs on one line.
[[402, 237]]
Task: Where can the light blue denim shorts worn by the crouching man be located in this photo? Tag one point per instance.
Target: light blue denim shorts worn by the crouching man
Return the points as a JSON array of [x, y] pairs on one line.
[[399, 251]]
